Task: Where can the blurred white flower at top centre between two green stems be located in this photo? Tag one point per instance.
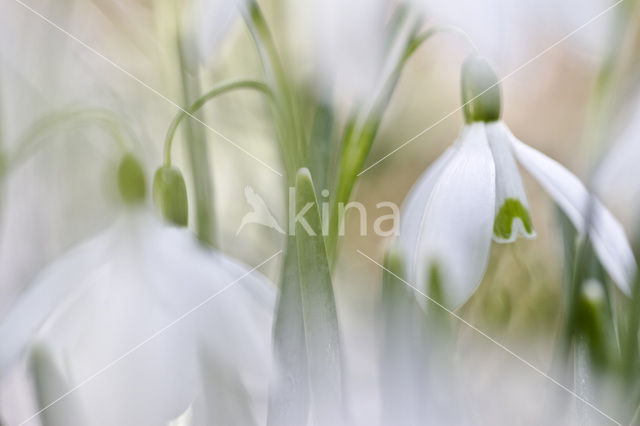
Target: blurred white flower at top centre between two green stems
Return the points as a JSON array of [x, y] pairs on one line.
[[355, 46]]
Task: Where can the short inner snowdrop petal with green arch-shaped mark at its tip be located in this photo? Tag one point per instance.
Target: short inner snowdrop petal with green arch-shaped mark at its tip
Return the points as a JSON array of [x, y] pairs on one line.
[[512, 208]]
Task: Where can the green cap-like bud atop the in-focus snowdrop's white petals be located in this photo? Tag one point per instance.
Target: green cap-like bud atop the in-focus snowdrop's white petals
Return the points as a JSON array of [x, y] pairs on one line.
[[480, 91]]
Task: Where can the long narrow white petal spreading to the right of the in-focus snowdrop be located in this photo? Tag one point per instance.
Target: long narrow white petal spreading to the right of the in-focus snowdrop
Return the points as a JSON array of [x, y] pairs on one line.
[[608, 237]]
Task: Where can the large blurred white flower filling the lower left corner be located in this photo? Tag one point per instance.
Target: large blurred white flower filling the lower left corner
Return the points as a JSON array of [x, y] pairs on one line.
[[180, 329]]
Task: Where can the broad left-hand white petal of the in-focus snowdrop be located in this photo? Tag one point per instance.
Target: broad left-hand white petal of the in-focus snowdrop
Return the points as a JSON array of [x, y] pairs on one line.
[[455, 228]]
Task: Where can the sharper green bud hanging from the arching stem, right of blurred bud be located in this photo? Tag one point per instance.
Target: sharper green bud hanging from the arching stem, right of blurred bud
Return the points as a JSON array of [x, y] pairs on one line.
[[170, 195]]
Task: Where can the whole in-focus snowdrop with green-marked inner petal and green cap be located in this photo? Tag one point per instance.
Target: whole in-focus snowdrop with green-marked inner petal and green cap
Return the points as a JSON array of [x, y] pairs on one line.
[[473, 193]]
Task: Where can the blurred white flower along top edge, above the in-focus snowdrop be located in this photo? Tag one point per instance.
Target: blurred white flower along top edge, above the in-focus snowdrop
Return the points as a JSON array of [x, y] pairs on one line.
[[506, 30]]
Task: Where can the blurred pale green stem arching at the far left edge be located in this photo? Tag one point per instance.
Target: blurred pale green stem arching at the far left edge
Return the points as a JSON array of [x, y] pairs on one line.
[[31, 140]]
